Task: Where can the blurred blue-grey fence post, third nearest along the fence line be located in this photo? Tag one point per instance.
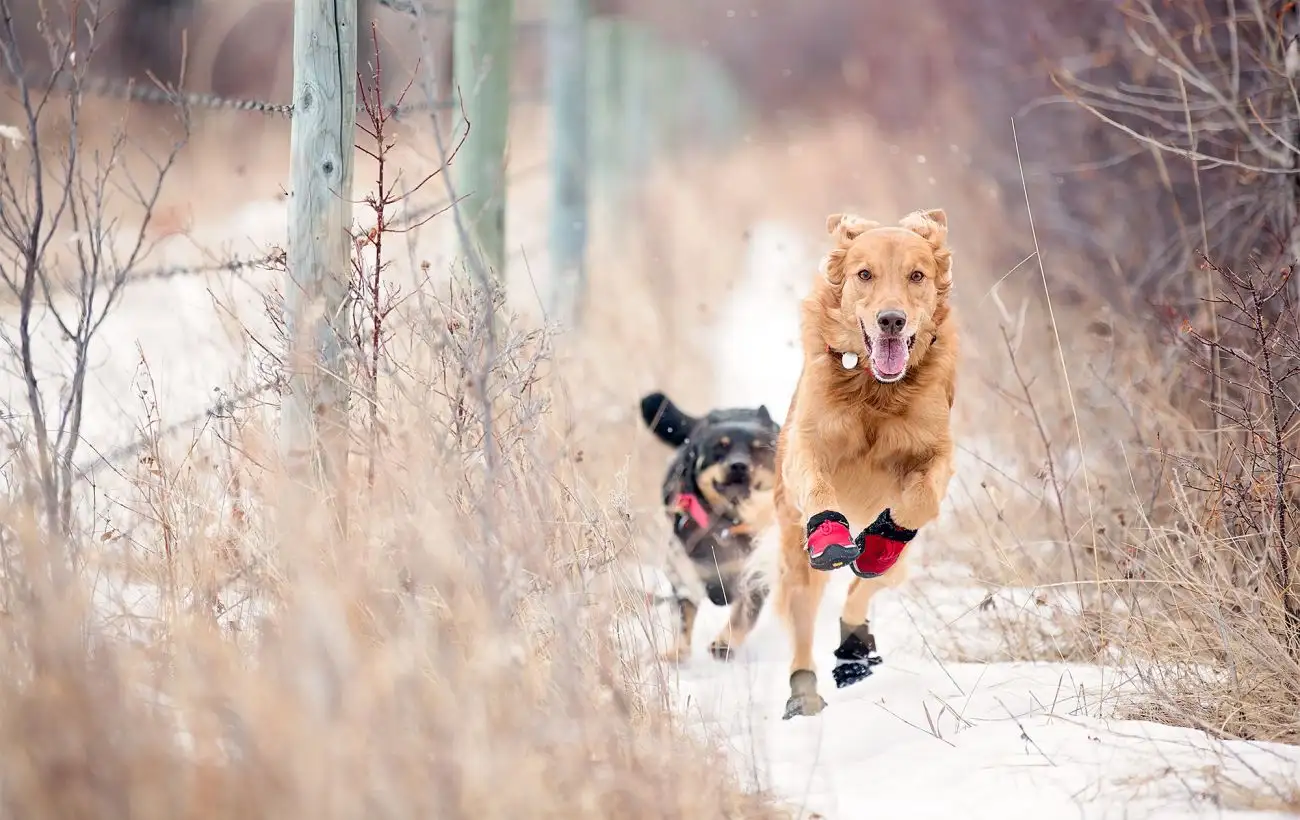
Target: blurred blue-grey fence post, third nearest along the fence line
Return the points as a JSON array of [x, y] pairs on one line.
[[569, 228]]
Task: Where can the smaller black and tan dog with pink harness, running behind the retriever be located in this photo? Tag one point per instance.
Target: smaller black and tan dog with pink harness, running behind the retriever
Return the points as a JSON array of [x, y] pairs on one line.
[[718, 494]]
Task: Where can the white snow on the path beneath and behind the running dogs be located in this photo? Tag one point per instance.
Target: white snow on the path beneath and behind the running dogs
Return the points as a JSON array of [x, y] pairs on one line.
[[924, 737]]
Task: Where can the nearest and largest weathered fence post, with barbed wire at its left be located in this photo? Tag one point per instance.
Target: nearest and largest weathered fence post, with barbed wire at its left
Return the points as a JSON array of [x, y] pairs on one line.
[[314, 418]]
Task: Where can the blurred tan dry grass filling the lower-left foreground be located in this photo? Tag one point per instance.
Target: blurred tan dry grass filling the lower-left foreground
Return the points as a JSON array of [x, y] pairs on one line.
[[460, 653]]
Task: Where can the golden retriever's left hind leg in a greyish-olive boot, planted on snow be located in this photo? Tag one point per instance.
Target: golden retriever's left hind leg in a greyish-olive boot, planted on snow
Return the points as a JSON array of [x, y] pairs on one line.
[[800, 592]]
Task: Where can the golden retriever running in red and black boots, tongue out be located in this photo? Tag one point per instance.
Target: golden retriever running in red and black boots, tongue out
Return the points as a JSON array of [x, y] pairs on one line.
[[868, 436]]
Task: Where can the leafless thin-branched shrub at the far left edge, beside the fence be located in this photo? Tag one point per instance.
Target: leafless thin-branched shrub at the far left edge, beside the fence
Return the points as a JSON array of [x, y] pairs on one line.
[[66, 254]]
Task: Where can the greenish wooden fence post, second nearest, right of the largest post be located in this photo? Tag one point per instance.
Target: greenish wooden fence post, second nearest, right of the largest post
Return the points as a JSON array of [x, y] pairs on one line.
[[483, 38]]
